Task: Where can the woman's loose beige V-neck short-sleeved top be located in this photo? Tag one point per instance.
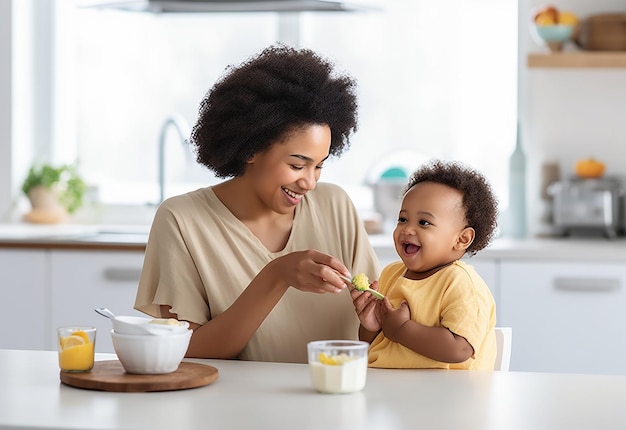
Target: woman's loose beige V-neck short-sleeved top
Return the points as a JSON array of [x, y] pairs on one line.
[[200, 257]]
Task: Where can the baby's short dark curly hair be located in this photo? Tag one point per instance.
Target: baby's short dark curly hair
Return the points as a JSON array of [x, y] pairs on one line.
[[479, 200]]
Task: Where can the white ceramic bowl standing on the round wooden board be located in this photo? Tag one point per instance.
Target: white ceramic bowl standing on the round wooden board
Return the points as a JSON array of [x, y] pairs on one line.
[[149, 354]]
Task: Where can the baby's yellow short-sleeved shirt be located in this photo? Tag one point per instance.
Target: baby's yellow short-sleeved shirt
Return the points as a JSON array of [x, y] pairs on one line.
[[455, 297]]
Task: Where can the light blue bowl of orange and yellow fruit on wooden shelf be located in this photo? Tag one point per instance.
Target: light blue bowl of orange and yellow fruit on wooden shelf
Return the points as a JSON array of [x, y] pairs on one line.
[[553, 28]]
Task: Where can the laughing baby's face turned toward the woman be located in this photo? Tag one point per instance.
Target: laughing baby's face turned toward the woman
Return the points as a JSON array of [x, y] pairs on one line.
[[430, 224]]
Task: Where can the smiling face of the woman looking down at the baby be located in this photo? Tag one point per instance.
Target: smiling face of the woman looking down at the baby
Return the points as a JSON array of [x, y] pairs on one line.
[[290, 168]]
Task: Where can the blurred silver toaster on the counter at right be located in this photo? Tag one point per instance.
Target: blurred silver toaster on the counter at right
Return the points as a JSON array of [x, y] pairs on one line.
[[589, 205]]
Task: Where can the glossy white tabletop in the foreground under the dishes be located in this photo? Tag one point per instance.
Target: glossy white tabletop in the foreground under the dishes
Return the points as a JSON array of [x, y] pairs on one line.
[[251, 395]]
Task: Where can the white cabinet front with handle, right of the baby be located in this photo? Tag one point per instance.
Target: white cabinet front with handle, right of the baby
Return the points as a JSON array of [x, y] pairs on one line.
[[566, 316]]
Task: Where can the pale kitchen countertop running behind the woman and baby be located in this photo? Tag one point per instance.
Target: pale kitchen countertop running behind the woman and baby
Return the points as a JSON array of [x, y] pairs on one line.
[[134, 237]]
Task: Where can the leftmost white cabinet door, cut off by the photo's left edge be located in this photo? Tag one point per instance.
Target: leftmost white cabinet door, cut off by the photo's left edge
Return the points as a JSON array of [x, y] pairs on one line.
[[23, 295]]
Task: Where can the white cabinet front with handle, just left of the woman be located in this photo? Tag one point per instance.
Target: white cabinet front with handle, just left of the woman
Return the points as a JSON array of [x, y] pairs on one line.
[[81, 281]]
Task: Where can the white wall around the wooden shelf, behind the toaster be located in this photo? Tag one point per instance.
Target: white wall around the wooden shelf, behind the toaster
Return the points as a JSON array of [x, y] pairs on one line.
[[568, 114]]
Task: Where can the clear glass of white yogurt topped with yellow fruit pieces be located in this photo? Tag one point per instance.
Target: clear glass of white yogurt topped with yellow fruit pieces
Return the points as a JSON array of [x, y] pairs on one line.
[[338, 366]]
